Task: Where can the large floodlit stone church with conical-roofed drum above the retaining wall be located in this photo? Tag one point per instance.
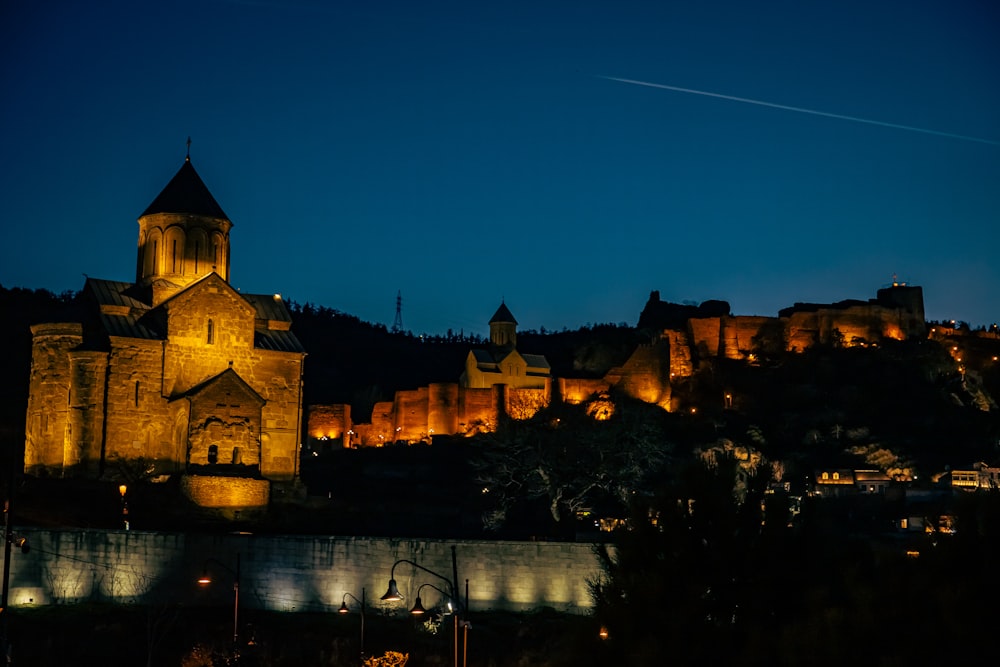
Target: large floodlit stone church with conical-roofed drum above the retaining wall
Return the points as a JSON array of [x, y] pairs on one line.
[[177, 372]]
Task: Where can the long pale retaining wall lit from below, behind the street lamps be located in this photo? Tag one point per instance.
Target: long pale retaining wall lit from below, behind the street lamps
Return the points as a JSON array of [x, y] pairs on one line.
[[292, 572]]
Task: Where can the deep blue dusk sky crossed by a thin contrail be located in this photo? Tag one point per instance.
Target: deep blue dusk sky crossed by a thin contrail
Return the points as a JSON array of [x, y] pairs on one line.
[[464, 152]]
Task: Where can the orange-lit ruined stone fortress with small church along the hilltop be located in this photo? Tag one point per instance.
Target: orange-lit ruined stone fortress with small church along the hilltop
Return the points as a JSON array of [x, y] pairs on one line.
[[499, 381]]
